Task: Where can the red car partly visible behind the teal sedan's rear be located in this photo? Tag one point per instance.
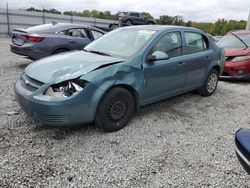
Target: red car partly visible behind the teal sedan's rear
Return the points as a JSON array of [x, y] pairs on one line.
[[237, 52]]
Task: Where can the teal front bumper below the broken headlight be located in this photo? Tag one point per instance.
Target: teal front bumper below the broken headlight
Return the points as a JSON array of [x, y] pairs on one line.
[[75, 110]]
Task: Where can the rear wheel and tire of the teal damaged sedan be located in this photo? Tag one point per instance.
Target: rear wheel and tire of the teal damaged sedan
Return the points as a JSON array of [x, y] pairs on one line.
[[210, 84]]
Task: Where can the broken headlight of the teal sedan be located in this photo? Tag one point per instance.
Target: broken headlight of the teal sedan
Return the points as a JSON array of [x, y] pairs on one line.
[[66, 89]]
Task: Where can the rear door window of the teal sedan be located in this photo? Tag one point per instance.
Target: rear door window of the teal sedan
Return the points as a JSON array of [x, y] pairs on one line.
[[195, 42]]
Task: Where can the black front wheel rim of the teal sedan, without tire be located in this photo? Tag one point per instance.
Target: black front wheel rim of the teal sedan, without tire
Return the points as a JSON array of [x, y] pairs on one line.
[[117, 109]]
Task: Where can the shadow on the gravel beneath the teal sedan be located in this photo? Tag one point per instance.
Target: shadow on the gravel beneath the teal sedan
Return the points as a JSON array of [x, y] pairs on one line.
[[167, 105]]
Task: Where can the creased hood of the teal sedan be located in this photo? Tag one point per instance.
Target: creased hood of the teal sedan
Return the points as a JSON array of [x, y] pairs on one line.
[[67, 66]]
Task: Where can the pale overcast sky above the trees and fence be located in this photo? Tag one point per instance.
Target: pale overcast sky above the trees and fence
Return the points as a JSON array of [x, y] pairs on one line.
[[195, 10]]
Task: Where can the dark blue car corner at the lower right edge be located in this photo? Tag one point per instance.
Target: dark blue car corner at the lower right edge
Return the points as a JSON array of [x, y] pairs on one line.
[[242, 142]]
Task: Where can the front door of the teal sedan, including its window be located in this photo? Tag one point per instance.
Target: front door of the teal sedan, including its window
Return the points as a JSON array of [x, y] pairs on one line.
[[164, 78]]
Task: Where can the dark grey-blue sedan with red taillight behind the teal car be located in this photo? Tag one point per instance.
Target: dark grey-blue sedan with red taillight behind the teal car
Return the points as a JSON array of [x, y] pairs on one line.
[[44, 40]]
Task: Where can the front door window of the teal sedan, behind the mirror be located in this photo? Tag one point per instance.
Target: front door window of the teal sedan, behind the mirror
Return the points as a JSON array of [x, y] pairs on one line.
[[170, 44]]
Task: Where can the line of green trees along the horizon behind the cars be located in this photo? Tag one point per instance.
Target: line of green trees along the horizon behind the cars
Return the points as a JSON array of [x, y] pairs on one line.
[[220, 27]]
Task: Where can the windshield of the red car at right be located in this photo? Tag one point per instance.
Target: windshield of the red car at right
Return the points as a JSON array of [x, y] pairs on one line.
[[233, 41]]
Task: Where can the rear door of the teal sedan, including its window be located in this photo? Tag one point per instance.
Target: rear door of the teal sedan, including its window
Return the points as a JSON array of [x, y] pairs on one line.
[[197, 54]]
